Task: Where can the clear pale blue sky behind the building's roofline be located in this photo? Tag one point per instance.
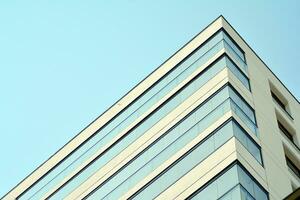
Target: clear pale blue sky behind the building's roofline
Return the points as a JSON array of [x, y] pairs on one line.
[[62, 63]]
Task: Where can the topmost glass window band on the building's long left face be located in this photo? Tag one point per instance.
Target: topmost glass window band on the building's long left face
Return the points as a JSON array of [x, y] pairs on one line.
[[128, 115]]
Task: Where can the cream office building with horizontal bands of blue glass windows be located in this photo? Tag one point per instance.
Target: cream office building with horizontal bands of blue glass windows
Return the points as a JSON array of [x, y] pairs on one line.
[[212, 122]]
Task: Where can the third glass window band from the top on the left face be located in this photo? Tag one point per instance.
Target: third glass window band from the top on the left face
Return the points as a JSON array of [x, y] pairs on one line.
[[169, 144]]
